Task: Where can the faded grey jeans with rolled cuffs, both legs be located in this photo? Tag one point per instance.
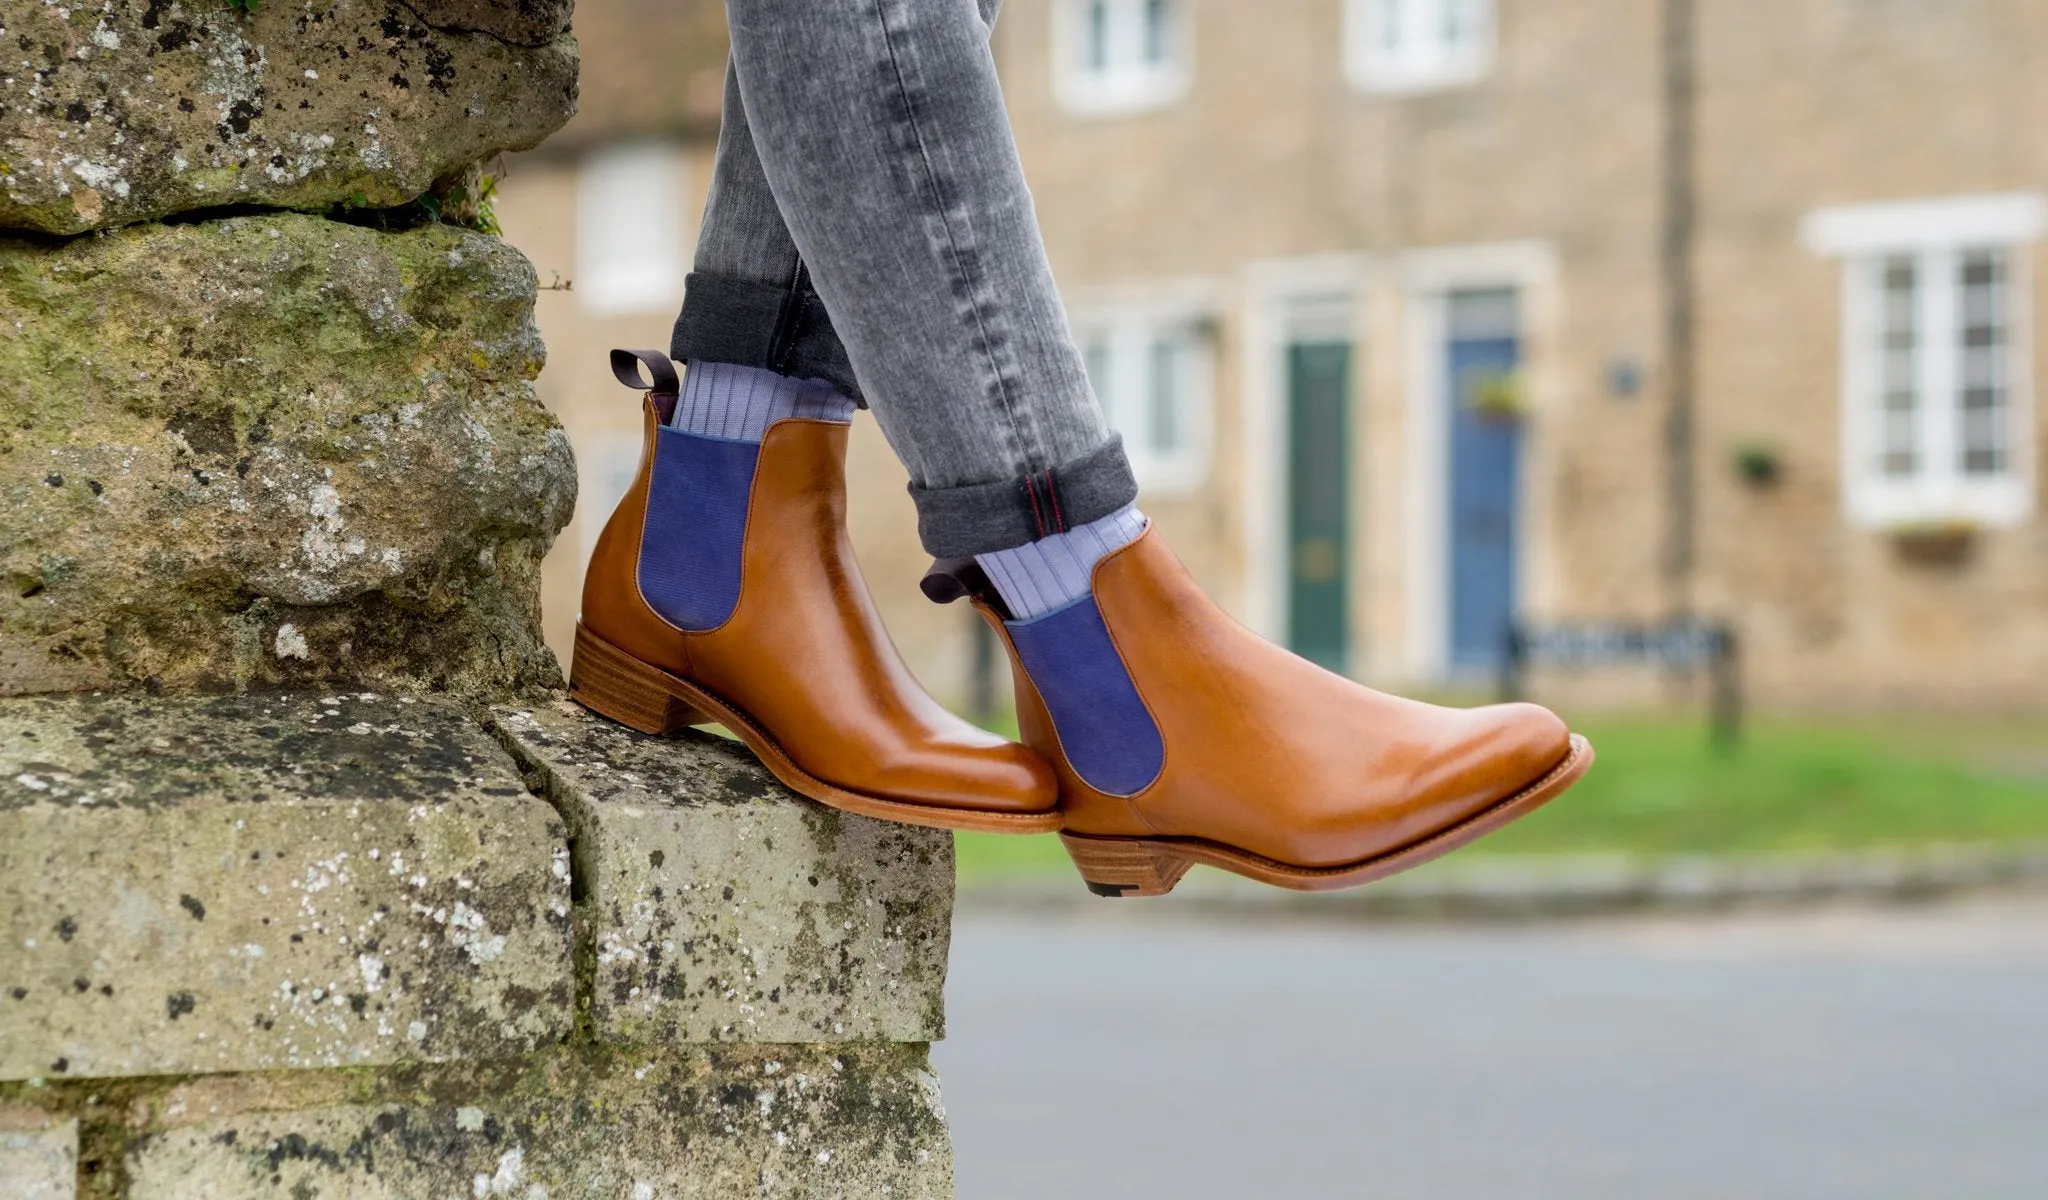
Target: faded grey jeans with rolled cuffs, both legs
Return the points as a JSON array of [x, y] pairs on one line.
[[869, 226]]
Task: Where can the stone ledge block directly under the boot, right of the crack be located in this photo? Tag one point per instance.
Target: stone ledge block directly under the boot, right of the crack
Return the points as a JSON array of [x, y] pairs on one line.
[[726, 908]]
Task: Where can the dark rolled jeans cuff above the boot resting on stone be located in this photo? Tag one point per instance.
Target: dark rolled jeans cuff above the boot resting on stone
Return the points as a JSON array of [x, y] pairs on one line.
[[773, 327]]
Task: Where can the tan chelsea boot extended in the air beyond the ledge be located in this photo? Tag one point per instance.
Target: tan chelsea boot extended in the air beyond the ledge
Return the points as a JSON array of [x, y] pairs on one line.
[[1185, 738]]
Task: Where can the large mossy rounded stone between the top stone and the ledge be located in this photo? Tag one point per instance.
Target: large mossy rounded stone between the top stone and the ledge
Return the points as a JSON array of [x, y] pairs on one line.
[[273, 449]]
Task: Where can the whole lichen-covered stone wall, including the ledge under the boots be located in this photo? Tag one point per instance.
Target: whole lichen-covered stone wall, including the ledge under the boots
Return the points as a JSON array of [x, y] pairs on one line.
[[308, 884]]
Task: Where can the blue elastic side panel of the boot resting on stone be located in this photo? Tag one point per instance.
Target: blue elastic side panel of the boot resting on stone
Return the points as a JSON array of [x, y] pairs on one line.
[[697, 525]]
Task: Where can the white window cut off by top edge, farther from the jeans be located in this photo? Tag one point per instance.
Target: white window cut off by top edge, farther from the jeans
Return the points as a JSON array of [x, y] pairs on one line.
[[1410, 46]]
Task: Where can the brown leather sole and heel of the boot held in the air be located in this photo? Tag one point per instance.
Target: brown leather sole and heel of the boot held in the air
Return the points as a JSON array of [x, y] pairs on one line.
[[1119, 867]]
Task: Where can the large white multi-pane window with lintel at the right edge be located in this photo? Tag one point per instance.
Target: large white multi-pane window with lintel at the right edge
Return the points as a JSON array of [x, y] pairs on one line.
[[1936, 380]]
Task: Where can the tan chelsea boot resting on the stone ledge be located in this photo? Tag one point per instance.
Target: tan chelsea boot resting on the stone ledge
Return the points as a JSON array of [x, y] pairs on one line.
[[724, 591]]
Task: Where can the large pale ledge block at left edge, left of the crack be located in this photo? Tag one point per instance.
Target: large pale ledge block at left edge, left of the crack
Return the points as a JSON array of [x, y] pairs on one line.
[[271, 882]]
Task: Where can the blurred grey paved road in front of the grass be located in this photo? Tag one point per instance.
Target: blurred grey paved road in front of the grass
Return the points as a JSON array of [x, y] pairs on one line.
[[1814, 1058]]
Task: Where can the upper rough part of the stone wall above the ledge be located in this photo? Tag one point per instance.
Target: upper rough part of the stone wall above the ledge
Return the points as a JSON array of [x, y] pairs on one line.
[[267, 445]]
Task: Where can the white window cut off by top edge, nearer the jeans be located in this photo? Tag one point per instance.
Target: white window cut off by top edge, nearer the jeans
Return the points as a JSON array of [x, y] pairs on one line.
[[1119, 56]]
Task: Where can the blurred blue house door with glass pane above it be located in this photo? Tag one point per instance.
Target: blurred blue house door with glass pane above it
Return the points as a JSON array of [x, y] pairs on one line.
[[1486, 474]]
